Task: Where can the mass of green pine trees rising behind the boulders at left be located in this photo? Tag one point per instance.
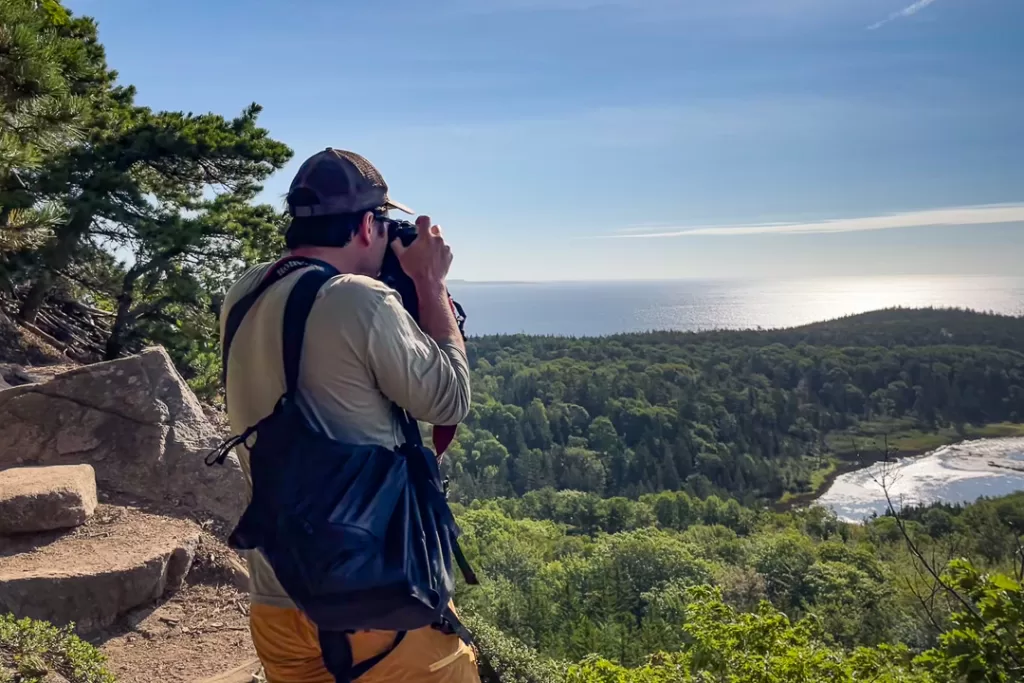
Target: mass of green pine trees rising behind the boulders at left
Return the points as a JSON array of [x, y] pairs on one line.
[[147, 216]]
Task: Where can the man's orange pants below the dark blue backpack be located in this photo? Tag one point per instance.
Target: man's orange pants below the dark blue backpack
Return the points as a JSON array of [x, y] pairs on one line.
[[288, 647]]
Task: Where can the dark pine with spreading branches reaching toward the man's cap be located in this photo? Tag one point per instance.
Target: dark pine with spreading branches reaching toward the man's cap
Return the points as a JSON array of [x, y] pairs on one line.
[[129, 188]]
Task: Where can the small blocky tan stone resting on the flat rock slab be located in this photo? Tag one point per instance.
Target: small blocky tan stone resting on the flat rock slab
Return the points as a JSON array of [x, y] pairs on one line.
[[41, 499]]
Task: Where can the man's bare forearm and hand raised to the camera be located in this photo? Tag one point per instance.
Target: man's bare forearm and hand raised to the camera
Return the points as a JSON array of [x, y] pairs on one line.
[[426, 262]]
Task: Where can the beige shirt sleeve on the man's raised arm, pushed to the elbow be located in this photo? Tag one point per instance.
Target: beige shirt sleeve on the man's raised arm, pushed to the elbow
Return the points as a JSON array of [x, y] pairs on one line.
[[430, 380]]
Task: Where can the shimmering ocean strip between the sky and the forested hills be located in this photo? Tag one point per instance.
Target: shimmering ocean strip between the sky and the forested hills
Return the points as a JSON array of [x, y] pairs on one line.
[[586, 310]]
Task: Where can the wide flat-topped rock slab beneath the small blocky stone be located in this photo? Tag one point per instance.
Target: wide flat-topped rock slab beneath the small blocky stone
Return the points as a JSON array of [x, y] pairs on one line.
[[122, 560]]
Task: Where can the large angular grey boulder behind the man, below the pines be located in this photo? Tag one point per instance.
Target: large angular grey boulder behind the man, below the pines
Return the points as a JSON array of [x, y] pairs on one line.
[[136, 421]]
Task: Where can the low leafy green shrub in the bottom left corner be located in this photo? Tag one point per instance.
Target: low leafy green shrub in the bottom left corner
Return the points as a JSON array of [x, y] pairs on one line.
[[31, 650]]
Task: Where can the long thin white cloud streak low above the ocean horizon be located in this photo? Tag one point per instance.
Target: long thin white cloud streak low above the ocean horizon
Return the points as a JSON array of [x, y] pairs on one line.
[[971, 216]]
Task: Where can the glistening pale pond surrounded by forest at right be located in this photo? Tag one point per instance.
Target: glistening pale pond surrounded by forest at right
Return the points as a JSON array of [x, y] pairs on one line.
[[960, 474]]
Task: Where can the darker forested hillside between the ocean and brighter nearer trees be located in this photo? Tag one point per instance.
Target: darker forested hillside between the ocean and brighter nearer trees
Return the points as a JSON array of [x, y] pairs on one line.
[[749, 414]]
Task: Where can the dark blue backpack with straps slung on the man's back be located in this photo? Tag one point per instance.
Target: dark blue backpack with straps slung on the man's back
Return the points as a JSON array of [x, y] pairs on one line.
[[360, 537]]
